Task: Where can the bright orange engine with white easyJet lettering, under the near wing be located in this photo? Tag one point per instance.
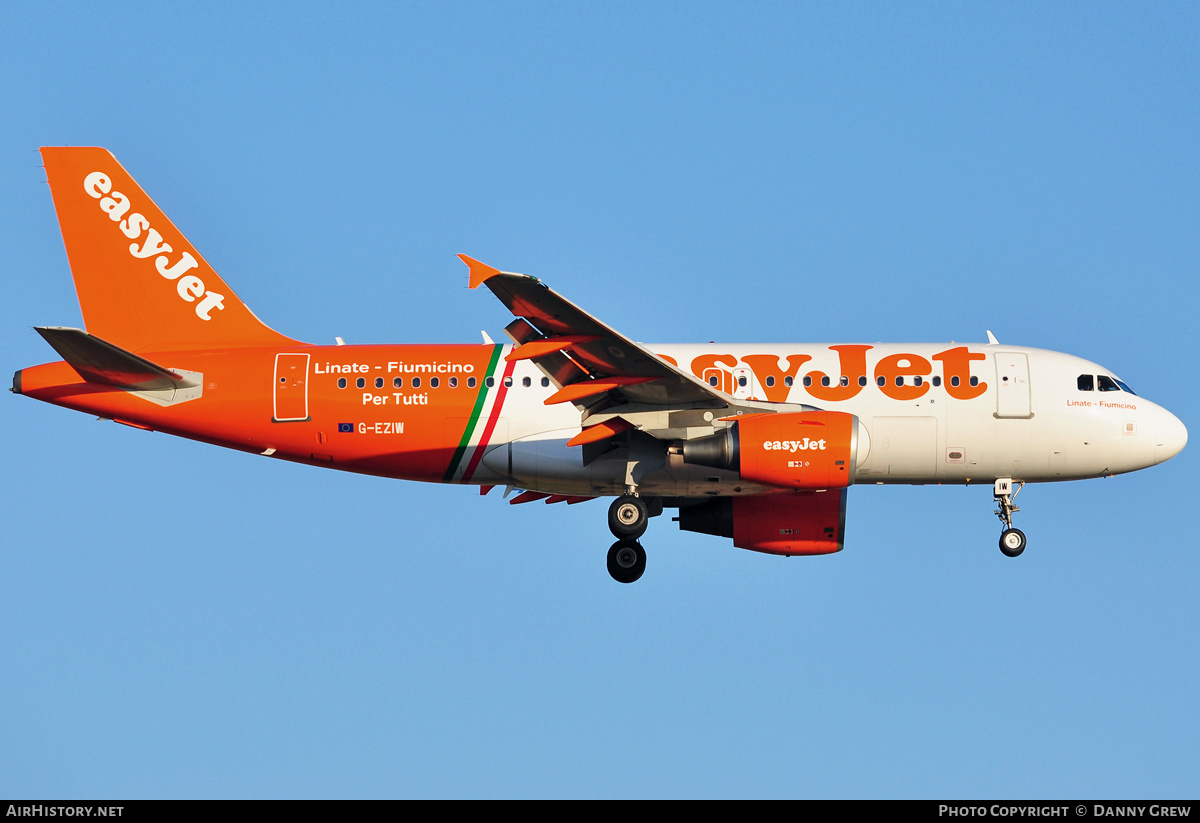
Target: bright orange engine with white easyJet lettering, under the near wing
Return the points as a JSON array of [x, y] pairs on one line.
[[809, 450]]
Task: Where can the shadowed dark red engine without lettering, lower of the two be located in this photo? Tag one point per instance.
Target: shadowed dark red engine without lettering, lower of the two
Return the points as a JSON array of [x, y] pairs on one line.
[[778, 524]]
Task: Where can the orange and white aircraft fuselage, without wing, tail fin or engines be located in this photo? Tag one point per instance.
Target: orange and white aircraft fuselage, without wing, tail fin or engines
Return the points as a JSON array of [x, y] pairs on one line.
[[932, 413]]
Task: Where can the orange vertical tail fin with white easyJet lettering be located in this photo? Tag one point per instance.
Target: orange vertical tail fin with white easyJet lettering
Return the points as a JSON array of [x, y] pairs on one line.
[[141, 284]]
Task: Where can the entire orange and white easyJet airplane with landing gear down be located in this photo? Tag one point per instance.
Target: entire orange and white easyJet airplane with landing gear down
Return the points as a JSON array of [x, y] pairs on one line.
[[757, 443]]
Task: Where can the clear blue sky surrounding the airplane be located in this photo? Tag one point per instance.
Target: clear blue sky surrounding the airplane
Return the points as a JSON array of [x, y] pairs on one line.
[[178, 621]]
